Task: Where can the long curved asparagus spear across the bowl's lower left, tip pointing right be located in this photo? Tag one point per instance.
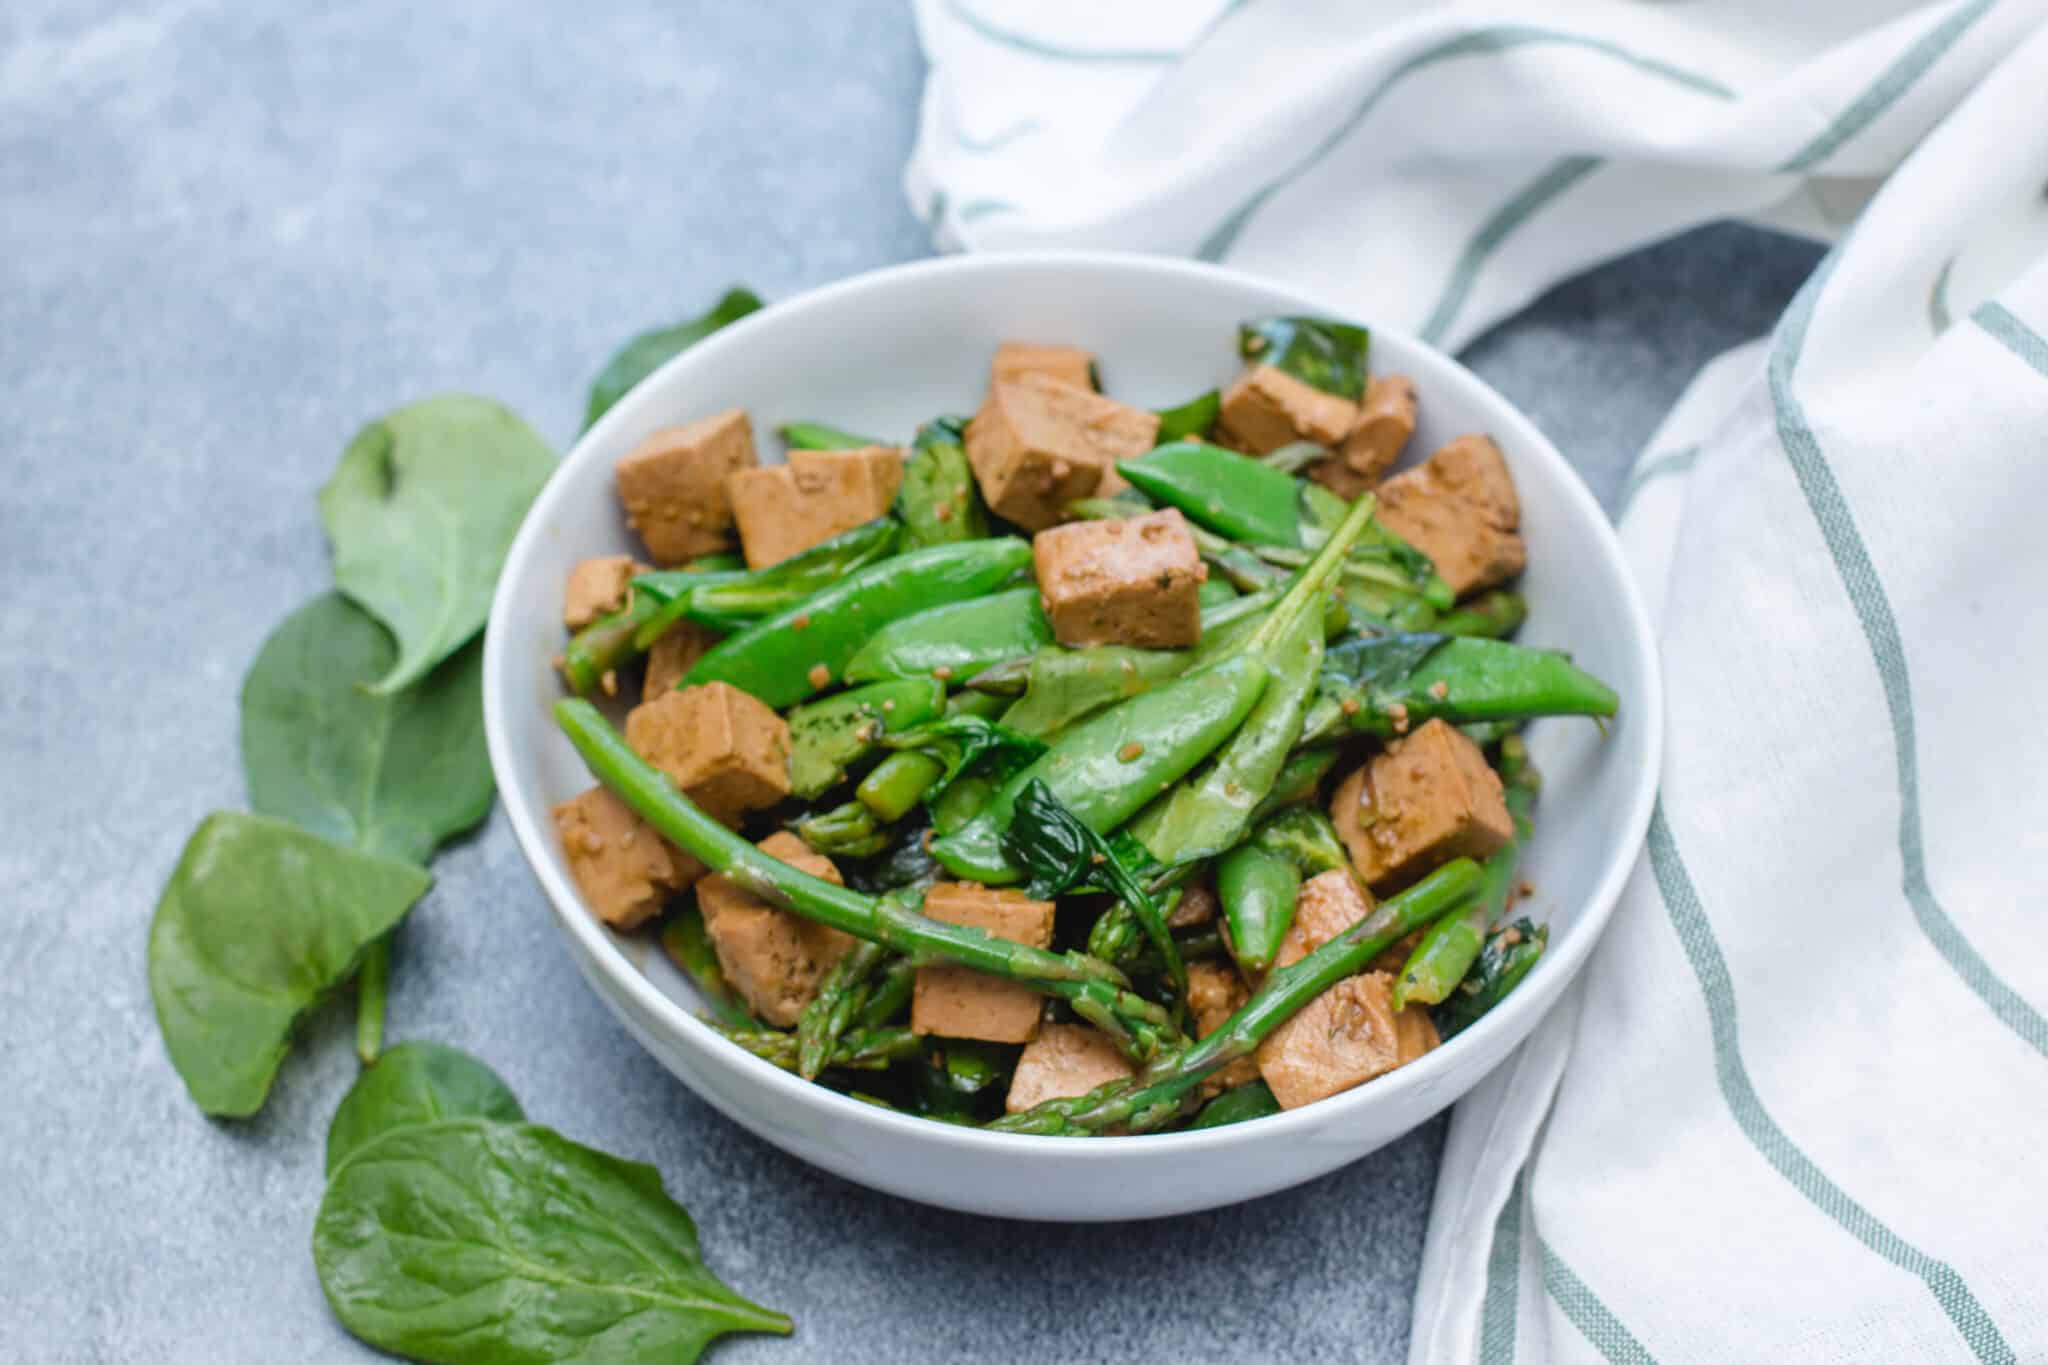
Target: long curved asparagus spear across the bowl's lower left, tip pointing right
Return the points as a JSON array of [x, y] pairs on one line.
[[1089, 985]]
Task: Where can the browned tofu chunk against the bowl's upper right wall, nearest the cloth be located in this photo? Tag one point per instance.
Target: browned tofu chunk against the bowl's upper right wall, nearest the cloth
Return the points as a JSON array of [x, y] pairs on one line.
[[1461, 511]]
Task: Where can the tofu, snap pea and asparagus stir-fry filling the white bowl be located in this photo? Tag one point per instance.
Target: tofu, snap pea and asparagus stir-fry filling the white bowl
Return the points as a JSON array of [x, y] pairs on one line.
[[1078, 768]]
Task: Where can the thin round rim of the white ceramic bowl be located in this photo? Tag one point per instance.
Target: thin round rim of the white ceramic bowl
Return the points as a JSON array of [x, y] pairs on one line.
[[605, 953]]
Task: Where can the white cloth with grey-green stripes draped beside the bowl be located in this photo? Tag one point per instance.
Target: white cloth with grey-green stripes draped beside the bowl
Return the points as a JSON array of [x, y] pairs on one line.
[[1793, 1112]]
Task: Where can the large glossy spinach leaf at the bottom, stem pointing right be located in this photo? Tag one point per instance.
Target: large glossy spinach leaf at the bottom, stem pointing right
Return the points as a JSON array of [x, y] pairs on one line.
[[509, 1245]]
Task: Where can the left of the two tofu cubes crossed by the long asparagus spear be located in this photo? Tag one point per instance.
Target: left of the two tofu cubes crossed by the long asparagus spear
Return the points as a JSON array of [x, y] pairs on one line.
[[773, 959]]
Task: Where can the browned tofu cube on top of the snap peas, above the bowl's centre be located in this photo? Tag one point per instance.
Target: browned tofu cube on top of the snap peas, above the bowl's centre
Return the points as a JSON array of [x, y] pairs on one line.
[[1134, 582]]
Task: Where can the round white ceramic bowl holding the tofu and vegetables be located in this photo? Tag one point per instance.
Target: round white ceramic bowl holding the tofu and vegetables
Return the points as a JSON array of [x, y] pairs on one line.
[[888, 351]]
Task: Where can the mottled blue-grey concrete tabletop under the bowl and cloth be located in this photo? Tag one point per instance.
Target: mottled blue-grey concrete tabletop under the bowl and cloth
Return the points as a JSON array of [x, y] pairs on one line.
[[230, 234]]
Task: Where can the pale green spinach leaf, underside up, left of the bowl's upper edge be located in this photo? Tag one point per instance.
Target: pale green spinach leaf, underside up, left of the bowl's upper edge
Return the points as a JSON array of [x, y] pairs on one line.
[[423, 511]]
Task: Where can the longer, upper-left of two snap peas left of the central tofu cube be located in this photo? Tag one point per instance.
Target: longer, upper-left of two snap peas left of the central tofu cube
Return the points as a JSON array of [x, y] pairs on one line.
[[804, 648]]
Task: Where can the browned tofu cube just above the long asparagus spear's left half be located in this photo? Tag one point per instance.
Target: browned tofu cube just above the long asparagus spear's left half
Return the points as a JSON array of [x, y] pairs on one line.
[[726, 750]]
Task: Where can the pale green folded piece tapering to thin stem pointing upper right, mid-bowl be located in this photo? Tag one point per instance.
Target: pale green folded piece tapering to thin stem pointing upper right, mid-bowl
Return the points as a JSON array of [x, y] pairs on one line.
[[1211, 809]]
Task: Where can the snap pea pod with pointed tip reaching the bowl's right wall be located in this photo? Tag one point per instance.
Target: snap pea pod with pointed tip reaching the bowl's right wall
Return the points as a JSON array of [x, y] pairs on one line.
[[1392, 685]]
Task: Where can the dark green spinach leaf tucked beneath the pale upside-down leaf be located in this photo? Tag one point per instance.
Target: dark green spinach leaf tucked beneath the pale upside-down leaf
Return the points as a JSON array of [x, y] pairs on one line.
[[388, 775]]
